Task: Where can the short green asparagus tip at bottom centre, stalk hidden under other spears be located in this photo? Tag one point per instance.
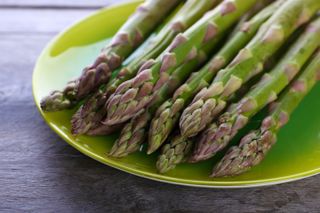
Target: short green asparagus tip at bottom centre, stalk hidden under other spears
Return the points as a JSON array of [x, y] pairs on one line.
[[174, 153]]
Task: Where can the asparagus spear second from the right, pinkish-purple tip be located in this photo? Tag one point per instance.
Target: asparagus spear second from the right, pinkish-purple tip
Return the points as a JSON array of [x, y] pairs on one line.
[[218, 134]]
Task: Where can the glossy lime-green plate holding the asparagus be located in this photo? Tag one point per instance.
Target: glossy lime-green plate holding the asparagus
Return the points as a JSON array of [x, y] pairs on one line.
[[296, 154]]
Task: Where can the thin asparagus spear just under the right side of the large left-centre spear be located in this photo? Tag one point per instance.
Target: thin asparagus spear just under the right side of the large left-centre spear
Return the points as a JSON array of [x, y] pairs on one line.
[[134, 132]]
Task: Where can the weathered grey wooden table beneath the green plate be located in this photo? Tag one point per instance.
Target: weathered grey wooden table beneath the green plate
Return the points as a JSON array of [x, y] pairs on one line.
[[39, 172]]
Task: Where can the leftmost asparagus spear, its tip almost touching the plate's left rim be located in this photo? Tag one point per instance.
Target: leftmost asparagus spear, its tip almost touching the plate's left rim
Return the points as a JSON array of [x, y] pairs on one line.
[[130, 35]]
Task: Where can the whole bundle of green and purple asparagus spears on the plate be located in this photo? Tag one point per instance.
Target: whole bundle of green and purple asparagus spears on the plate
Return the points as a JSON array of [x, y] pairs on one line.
[[161, 85]]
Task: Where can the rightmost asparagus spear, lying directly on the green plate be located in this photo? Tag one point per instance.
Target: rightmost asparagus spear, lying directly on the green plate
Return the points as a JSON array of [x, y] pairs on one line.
[[254, 146]]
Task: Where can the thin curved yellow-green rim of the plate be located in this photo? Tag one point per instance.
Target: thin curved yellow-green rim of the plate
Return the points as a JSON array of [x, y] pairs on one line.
[[144, 174]]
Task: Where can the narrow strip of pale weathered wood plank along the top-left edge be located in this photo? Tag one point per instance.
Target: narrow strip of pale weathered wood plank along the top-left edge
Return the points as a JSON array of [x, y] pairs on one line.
[[76, 4]]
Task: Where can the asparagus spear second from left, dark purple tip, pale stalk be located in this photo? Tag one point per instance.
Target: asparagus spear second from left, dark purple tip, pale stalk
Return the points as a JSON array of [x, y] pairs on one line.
[[93, 111]]
